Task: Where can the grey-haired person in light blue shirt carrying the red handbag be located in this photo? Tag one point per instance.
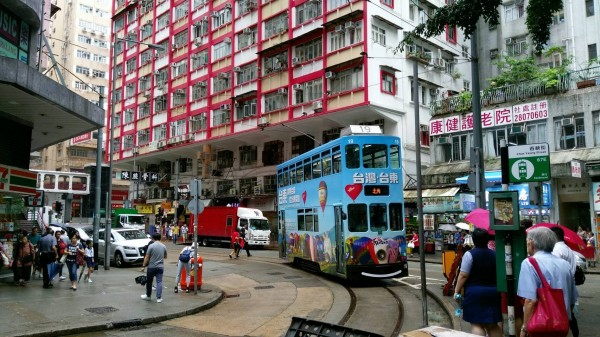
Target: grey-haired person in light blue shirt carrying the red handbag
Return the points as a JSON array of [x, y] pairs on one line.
[[540, 243]]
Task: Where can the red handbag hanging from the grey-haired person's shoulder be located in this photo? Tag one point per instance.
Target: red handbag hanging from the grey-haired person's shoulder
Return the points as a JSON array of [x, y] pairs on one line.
[[549, 317]]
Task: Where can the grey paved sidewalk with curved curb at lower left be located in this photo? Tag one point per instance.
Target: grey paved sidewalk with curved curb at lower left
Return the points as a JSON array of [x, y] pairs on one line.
[[112, 301]]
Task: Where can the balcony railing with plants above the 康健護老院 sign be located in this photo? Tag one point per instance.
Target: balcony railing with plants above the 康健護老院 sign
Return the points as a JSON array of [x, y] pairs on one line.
[[514, 92]]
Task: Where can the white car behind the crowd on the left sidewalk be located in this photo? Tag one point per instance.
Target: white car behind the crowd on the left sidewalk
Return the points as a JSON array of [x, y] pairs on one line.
[[127, 246]]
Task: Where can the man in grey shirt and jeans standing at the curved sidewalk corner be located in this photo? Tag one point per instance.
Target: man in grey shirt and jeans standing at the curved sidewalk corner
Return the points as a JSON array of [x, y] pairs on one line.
[[155, 261]]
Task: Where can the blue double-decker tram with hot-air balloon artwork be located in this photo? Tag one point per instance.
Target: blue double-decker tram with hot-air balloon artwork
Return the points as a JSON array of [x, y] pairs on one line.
[[340, 206]]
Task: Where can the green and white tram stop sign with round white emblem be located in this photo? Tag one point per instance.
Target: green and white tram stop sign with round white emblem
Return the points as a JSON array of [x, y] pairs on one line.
[[529, 163]]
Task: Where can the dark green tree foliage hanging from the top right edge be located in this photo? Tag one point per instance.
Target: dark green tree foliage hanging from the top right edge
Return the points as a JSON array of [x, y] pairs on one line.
[[465, 14]]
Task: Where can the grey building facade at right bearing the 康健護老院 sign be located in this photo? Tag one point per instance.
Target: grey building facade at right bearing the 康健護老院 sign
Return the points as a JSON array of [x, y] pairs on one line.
[[564, 115]]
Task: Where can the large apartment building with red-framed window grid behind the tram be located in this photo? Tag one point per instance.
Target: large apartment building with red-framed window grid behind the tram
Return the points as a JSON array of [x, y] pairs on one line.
[[240, 86]]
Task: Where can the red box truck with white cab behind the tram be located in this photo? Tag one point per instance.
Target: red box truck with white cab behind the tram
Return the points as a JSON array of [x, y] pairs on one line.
[[216, 223]]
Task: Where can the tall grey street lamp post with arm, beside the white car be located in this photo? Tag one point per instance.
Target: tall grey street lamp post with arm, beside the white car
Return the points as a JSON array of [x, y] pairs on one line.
[[111, 141]]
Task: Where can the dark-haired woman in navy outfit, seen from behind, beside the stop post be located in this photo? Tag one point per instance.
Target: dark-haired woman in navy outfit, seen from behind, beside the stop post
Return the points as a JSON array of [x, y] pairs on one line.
[[481, 301]]
